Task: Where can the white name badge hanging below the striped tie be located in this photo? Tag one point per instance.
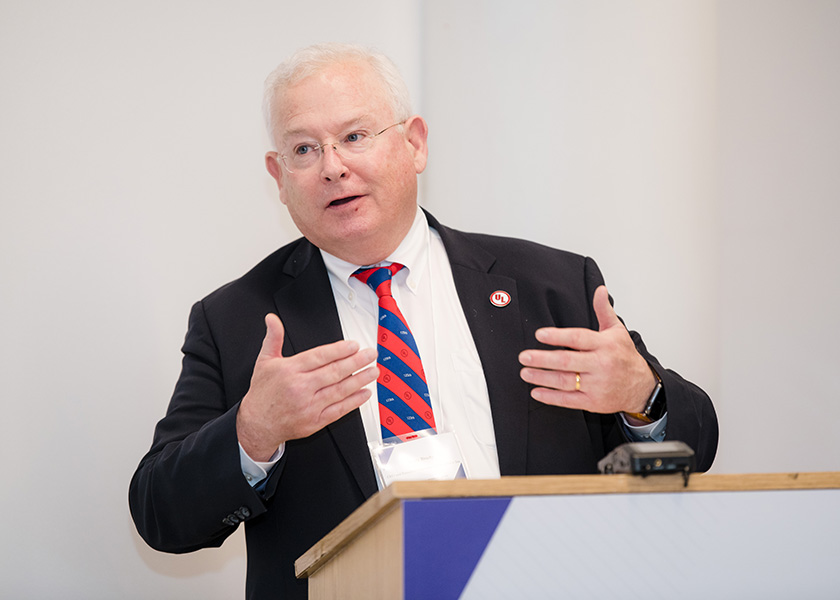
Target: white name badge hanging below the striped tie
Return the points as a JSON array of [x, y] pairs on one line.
[[435, 457]]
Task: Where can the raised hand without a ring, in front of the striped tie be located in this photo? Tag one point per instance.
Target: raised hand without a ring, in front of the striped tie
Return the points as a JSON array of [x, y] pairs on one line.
[[295, 396]]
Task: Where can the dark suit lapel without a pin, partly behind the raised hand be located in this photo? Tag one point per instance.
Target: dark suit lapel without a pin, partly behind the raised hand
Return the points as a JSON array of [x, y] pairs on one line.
[[309, 315]]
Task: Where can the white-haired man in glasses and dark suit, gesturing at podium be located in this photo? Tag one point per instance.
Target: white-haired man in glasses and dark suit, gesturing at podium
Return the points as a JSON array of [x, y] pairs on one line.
[[274, 418]]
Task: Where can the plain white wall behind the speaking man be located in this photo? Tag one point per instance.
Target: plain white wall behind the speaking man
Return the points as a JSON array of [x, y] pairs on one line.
[[691, 148]]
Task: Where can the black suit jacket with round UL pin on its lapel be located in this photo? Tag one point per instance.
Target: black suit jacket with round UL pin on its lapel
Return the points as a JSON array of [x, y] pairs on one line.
[[189, 491]]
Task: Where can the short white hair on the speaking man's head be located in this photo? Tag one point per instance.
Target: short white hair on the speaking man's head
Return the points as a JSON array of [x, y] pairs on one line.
[[310, 60]]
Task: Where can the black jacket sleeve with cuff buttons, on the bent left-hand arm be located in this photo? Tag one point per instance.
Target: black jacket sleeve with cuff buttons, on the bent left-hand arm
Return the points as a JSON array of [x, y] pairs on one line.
[[189, 491]]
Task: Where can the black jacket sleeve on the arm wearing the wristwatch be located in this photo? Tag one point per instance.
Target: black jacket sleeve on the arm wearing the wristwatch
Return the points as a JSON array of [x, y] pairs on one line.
[[691, 416]]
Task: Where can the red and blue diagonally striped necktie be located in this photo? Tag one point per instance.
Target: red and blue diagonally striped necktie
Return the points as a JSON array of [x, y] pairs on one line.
[[405, 406]]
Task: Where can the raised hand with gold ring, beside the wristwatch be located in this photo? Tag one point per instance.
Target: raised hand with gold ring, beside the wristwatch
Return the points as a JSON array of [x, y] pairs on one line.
[[613, 376]]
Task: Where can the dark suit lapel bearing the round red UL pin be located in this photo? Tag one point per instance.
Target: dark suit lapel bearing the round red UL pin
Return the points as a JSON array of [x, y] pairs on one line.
[[498, 336]]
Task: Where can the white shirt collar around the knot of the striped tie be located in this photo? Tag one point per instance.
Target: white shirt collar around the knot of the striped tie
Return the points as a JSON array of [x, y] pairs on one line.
[[413, 253]]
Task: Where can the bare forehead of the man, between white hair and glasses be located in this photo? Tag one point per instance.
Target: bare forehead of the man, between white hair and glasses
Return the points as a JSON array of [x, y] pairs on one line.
[[332, 98]]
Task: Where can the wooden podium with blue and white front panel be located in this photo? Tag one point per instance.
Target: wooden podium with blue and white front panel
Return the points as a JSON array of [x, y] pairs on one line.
[[591, 536]]
